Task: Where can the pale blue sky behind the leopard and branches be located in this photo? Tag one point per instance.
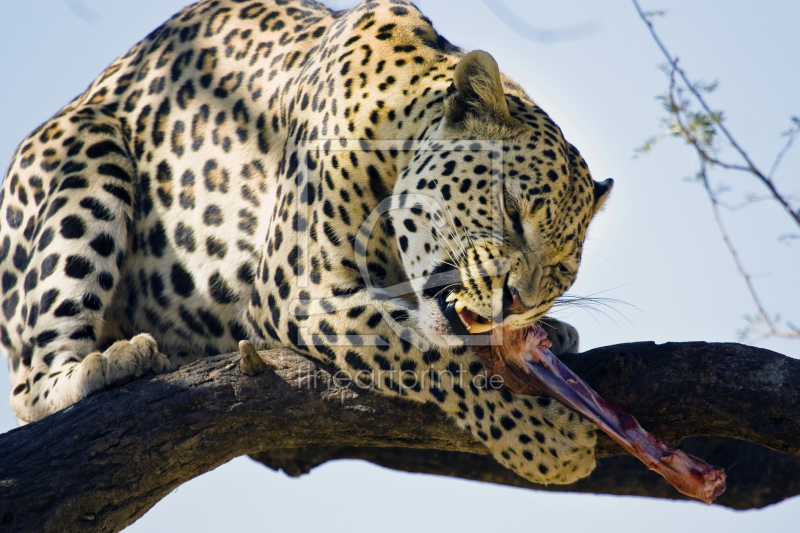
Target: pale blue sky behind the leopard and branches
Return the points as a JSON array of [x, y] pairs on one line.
[[655, 247]]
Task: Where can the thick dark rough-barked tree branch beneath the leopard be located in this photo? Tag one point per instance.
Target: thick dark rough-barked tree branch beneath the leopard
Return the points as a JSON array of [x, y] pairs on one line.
[[102, 463]]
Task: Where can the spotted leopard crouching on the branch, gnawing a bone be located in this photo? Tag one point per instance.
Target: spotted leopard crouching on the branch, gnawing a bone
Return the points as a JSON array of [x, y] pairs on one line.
[[346, 184]]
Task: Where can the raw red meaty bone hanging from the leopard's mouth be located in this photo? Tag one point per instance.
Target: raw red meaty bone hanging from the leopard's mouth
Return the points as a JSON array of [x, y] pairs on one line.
[[523, 358]]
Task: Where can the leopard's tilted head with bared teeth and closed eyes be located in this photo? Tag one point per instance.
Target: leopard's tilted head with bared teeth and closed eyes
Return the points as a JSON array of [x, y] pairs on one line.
[[491, 215]]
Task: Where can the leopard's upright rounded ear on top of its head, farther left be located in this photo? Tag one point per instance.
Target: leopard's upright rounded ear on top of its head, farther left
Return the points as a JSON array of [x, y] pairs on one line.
[[477, 90]]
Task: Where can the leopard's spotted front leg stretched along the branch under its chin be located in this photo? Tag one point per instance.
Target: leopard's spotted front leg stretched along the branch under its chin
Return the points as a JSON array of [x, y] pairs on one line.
[[377, 344]]
